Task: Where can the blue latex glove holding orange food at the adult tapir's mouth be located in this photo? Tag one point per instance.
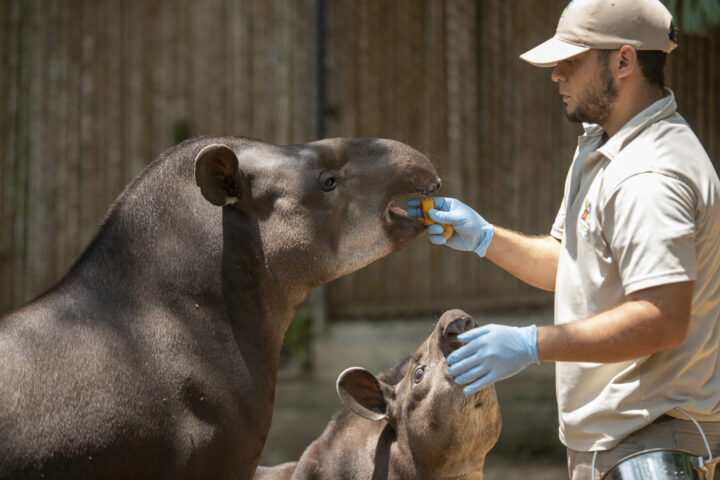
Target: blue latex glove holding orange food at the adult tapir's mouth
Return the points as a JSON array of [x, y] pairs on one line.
[[472, 232]]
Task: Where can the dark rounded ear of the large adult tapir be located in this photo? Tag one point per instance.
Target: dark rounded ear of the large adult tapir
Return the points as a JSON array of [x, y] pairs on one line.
[[218, 175]]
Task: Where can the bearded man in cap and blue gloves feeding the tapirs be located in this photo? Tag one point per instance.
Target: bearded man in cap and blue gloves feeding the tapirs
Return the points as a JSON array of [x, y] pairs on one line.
[[633, 256]]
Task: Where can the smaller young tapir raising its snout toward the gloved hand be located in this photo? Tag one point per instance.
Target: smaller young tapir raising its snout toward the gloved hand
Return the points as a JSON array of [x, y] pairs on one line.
[[411, 422]]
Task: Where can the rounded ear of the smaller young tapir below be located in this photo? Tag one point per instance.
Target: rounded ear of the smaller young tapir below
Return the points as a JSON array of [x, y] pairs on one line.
[[364, 394]]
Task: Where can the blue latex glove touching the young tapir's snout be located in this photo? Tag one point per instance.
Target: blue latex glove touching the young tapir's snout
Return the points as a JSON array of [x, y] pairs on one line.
[[492, 353]]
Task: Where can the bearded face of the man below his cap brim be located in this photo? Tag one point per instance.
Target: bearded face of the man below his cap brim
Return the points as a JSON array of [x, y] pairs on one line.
[[586, 86]]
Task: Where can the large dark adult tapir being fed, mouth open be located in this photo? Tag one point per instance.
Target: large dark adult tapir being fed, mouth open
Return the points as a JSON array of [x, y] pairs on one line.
[[156, 356]]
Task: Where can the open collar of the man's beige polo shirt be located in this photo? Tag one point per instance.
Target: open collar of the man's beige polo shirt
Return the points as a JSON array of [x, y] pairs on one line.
[[663, 108]]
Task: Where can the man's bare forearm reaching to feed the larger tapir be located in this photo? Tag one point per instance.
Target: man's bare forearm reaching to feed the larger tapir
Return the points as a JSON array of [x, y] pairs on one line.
[[532, 259]]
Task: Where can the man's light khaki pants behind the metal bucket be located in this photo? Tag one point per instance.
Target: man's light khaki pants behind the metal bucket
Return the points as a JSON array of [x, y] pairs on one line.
[[666, 432]]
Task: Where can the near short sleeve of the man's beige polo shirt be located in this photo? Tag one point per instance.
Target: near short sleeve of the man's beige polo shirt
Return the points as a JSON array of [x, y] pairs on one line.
[[649, 223]]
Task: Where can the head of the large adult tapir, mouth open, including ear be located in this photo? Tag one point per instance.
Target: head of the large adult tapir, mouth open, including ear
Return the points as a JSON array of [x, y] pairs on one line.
[[322, 209]]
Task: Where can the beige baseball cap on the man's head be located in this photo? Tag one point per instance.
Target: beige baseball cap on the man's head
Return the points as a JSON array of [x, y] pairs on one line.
[[606, 24]]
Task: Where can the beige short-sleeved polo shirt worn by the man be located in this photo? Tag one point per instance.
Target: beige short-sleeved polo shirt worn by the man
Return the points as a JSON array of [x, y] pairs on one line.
[[642, 210]]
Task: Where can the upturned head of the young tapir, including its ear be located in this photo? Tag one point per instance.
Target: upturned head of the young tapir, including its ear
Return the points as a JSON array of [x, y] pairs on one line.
[[445, 430]]
